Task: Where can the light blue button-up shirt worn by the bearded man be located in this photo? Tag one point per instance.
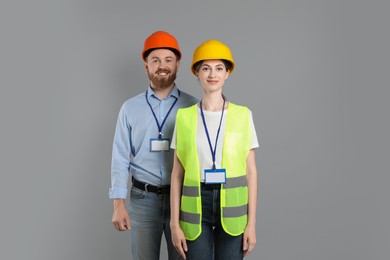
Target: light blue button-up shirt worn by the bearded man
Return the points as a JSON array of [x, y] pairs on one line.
[[135, 127]]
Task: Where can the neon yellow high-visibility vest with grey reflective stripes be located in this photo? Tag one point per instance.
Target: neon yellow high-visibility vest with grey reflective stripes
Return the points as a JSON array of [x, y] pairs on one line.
[[234, 193]]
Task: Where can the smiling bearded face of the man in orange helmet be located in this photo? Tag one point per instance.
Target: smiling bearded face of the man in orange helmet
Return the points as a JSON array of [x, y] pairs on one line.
[[161, 66]]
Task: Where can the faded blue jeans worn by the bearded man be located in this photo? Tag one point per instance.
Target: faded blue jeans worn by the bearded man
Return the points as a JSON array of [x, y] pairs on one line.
[[149, 217]]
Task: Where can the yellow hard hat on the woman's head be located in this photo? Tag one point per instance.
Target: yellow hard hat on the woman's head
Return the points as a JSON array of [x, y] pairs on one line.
[[212, 50]]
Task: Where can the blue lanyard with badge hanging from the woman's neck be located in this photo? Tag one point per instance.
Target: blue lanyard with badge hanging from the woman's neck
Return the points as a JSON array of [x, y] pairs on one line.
[[213, 175]]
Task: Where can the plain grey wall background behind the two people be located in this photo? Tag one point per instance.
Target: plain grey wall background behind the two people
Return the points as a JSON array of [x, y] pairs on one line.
[[315, 74]]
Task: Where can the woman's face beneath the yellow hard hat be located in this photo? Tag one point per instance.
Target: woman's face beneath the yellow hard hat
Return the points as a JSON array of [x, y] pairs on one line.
[[212, 75]]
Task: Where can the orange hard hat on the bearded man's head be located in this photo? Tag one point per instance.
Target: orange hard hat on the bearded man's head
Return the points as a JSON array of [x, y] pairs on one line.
[[161, 40]]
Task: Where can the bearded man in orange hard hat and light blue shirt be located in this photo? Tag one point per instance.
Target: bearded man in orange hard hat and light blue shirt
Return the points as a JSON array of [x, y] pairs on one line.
[[142, 147]]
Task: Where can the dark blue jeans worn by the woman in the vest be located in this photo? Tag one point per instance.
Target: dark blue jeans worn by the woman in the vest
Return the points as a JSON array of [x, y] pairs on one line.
[[214, 242]]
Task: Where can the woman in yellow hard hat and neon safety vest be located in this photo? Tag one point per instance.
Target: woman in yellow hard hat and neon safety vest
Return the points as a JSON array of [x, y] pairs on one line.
[[214, 176]]
